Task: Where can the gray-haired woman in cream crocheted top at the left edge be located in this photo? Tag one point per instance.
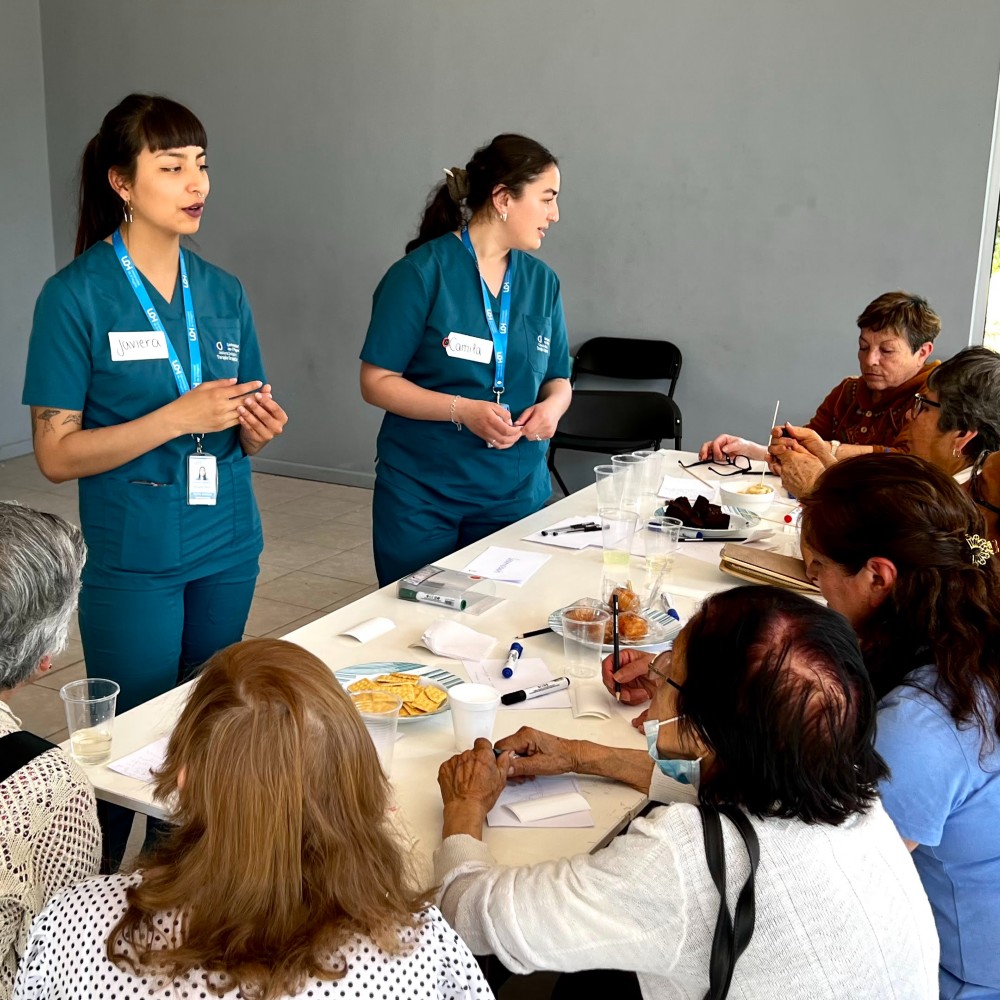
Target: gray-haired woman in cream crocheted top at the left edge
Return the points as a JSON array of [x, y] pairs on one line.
[[49, 837]]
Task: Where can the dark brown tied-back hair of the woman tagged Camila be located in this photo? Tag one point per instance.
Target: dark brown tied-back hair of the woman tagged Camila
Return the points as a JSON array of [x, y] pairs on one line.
[[510, 161]]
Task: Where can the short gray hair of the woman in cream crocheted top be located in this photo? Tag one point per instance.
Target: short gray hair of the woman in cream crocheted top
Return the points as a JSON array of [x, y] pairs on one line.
[[41, 557]]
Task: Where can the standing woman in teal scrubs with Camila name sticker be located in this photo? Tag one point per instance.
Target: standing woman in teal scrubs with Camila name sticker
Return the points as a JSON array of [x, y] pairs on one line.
[[467, 354]]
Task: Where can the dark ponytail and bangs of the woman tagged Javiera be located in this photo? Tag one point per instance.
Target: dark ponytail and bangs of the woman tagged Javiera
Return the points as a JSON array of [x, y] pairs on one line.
[[140, 121]]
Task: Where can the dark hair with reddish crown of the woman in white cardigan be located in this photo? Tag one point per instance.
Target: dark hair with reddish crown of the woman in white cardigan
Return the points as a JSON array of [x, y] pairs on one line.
[[777, 687]]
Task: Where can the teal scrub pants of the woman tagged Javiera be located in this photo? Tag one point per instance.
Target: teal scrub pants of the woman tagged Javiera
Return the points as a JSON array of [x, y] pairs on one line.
[[150, 640]]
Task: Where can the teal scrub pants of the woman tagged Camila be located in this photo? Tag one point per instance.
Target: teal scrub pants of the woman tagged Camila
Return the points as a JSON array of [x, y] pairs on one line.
[[411, 528]]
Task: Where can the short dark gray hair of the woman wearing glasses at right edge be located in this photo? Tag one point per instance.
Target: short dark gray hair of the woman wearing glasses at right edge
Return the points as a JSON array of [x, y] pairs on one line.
[[968, 388]]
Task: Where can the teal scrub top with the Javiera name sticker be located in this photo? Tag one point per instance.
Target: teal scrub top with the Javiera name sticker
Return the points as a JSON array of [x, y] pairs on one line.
[[139, 529]]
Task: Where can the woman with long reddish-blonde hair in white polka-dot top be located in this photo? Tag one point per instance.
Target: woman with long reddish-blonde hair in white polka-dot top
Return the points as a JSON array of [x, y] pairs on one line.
[[281, 877]]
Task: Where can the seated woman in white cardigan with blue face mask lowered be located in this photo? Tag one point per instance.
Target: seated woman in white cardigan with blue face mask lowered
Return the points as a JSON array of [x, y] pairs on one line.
[[765, 707]]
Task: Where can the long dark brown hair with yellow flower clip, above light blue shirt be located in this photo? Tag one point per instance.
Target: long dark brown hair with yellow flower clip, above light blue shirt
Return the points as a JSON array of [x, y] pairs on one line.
[[942, 608]]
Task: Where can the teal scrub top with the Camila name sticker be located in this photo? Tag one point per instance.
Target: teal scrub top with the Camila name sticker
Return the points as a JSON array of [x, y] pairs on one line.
[[433, 292]]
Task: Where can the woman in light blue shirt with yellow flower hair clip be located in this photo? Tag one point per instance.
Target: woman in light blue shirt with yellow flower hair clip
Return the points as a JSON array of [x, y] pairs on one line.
[[898, 548]]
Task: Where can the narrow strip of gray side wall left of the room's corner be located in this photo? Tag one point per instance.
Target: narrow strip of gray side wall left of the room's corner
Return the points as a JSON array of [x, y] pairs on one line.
[[25, 209]]
